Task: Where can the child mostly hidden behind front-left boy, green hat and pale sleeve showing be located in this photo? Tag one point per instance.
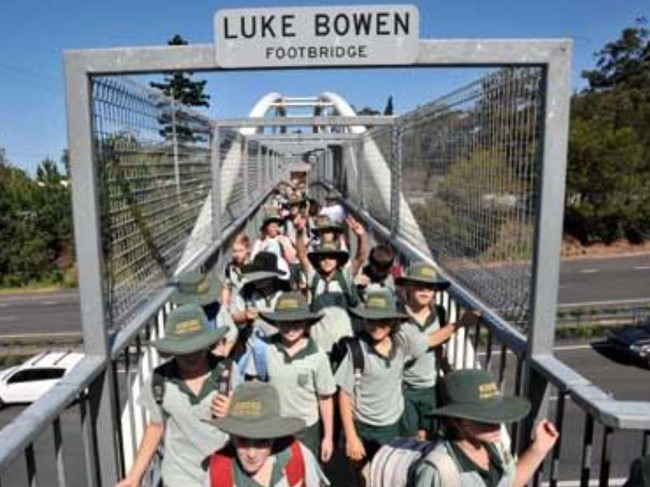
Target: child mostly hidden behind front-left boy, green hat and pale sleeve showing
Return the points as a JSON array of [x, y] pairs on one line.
[[197, 288]]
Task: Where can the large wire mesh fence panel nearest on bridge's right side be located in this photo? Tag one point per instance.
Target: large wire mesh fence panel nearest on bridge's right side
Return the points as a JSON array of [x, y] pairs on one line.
[[469, 165]]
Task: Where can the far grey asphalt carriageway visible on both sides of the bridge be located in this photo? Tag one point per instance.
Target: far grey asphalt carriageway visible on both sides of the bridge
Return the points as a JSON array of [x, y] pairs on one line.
[[621, 279]]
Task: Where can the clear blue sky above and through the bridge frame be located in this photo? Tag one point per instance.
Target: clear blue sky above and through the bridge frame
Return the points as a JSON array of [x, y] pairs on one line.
[[35, 33]]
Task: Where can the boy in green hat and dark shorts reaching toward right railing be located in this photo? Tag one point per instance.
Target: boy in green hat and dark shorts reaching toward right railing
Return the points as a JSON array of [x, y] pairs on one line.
[[420, 284]]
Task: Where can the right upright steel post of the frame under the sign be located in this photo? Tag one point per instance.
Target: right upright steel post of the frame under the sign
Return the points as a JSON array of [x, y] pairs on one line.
[[548, 232]]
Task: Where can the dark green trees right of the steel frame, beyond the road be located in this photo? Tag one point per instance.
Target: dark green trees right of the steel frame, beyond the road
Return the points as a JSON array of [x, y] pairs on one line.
[[608, 177]]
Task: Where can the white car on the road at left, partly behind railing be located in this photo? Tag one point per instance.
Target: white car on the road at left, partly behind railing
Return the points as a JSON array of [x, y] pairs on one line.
[[25, 383]]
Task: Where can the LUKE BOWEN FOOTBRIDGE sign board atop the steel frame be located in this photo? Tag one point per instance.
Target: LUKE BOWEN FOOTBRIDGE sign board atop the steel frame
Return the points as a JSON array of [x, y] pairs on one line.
[[317, 36]]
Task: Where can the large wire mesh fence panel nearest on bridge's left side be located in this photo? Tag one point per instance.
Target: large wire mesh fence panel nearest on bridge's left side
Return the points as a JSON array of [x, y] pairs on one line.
[[153, 168]]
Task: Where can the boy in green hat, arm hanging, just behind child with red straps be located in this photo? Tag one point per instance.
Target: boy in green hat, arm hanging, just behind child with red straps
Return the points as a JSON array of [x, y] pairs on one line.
[[301, 372]]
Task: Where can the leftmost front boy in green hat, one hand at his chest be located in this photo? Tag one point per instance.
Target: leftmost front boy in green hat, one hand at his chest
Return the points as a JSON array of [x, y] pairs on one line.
[[184, 396]]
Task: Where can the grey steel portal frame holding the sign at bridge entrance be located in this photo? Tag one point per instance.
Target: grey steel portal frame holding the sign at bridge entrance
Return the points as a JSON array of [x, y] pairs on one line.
[[553, 56]]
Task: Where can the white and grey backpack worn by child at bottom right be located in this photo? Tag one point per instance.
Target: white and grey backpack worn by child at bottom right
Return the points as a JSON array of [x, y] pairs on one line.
[[396, 463]]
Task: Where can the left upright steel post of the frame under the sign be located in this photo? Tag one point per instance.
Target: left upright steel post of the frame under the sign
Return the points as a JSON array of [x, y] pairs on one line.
[[87, 223]]
